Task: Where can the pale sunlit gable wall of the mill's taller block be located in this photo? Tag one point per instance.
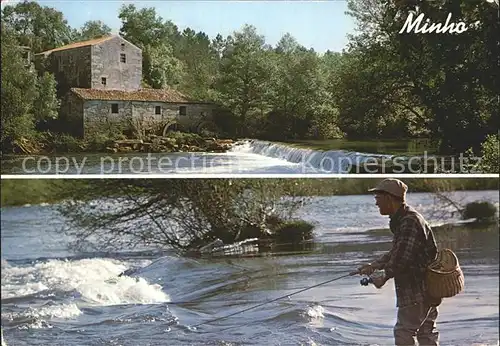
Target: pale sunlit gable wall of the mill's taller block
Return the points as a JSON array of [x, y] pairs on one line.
[[106, 63]]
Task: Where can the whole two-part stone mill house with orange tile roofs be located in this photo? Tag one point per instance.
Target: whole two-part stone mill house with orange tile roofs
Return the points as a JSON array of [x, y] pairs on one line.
[[99, 84]]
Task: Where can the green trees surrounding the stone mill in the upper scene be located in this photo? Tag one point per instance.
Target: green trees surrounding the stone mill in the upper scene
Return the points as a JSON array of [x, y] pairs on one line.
[[384, 85]]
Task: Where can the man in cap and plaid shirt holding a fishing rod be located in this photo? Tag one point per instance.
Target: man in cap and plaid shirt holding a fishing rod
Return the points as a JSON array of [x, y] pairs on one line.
[[413, 249]]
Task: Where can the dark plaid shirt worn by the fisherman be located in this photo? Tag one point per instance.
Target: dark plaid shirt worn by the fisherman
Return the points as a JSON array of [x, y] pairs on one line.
[[413, 249]]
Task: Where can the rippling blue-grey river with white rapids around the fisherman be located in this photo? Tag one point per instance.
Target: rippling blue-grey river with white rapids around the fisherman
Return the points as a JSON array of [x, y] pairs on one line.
[[52, 295]]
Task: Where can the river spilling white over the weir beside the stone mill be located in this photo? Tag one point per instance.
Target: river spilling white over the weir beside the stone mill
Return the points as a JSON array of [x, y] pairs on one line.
[[248, 157]]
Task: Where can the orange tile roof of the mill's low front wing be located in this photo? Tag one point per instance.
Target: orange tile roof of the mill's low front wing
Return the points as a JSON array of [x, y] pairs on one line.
[[156, 95]]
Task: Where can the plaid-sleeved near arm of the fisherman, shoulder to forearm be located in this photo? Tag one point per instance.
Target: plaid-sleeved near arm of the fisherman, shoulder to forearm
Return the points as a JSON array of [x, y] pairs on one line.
[[405, 248]]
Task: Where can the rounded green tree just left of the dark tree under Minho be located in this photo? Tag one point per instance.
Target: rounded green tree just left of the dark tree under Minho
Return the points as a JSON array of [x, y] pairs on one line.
[[374, 97]]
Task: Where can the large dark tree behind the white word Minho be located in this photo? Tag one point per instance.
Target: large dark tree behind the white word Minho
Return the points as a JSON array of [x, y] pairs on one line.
[[451, 75]]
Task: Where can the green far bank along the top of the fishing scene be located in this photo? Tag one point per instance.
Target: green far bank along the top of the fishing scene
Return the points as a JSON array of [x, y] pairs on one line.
[[33, 191]]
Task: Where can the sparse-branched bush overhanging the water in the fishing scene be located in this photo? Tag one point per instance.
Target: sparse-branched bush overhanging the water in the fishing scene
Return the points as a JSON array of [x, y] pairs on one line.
[[182, 214]]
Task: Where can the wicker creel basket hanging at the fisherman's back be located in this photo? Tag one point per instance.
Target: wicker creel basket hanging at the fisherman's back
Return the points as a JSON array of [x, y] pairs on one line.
[[444, 276]]
